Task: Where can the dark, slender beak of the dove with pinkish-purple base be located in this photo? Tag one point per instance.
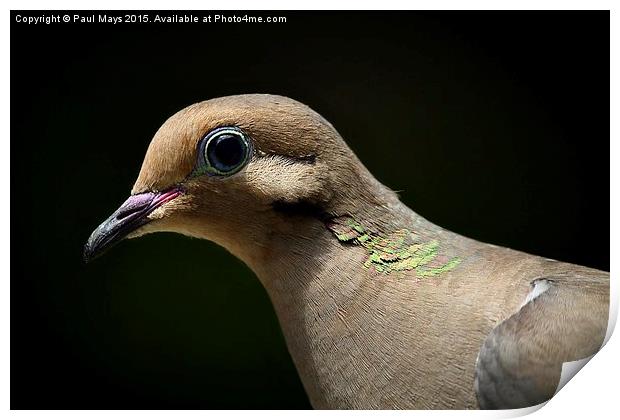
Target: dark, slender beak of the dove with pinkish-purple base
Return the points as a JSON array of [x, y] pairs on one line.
[[130, 215]]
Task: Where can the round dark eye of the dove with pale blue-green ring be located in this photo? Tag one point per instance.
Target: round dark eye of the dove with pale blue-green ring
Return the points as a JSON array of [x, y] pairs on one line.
[[225, 151]]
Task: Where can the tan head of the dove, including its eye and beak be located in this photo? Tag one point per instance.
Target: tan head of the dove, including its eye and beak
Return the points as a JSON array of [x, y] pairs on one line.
[[241, 170]]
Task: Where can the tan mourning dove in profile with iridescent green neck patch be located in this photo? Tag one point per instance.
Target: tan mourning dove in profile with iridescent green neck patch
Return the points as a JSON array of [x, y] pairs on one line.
[[379, 307]]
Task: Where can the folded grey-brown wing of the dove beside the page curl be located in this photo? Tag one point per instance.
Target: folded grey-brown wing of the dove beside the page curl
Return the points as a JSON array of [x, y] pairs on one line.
[[563, 319]]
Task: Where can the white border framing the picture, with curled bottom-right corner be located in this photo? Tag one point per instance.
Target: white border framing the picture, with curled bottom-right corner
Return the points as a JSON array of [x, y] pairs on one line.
[[595, 390]]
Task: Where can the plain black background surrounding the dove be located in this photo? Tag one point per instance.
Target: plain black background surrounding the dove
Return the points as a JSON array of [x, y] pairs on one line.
[[491, 124]]
